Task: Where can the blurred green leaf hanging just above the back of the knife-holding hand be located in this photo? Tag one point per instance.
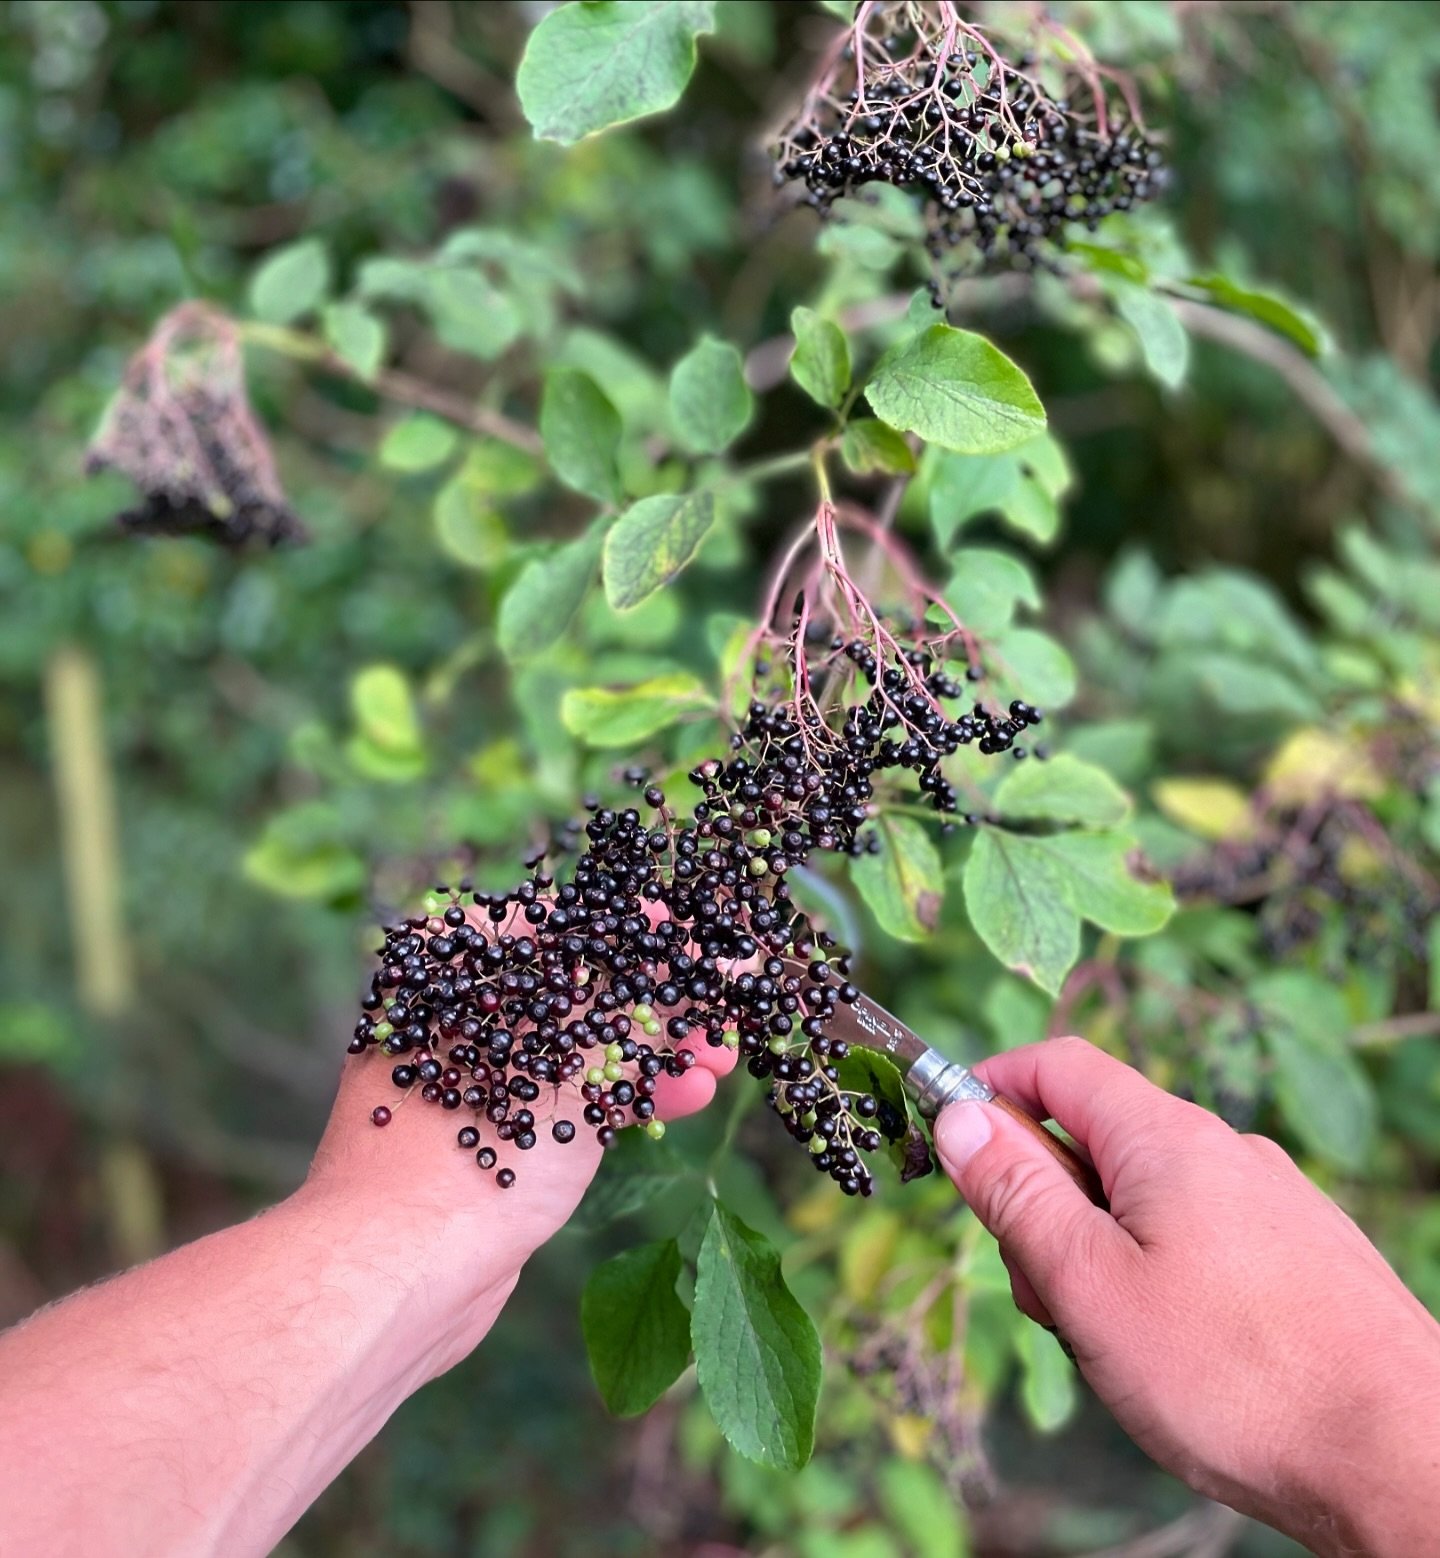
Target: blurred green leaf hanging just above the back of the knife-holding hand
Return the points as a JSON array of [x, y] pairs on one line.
[[1322, 1090]]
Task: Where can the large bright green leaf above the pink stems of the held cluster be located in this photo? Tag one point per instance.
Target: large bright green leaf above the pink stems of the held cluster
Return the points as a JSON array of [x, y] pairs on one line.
[[958, 392]]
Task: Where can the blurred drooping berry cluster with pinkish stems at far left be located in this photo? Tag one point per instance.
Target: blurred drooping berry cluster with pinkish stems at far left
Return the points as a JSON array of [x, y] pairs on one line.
[[183, 431]]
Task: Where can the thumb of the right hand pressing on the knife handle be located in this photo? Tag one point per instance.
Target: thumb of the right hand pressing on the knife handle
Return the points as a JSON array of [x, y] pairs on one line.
[[1043, 1221]]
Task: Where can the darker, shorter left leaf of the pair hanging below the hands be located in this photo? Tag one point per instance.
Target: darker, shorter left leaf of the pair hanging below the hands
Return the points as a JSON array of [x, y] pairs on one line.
[[637, 1330]]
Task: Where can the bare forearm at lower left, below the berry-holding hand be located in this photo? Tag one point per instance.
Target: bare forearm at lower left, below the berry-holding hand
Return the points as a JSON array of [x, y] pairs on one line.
[[202, 1403]]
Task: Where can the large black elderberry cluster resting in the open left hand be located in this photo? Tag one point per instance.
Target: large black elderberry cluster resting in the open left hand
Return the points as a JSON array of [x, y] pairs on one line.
[[669, 934]]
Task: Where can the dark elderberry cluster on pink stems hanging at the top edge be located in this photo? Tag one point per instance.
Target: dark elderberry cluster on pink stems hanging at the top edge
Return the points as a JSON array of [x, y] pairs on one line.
[[926, 104]]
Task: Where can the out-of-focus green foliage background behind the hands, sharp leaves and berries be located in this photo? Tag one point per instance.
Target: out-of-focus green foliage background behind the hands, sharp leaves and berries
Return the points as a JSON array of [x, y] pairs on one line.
[[205, 805]]
